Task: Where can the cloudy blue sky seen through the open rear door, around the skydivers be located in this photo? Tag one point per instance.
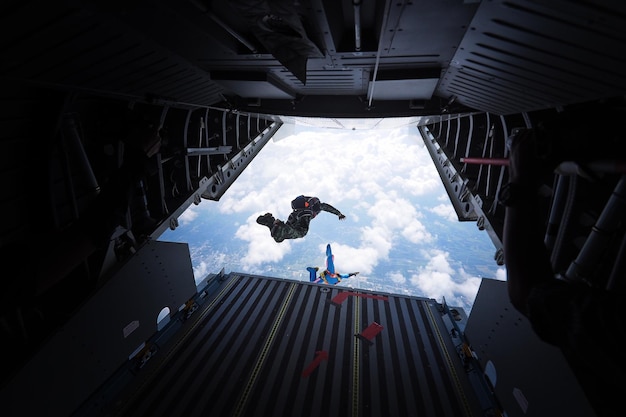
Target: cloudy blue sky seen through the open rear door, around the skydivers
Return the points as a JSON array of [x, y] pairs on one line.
[[400, 231]]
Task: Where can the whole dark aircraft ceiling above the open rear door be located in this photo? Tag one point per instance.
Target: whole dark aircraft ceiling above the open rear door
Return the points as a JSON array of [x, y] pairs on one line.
[[324, 57]]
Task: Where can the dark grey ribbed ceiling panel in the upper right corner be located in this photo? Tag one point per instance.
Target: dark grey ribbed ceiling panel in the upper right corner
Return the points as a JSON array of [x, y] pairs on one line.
[[524, 56]]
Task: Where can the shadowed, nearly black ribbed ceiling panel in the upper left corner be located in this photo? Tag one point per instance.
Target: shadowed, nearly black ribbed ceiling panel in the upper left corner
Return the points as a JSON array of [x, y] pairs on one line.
[[71, 47]]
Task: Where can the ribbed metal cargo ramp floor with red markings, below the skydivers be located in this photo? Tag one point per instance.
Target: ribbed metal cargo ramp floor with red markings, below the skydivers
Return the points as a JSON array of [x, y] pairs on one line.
[[270, 347]]
